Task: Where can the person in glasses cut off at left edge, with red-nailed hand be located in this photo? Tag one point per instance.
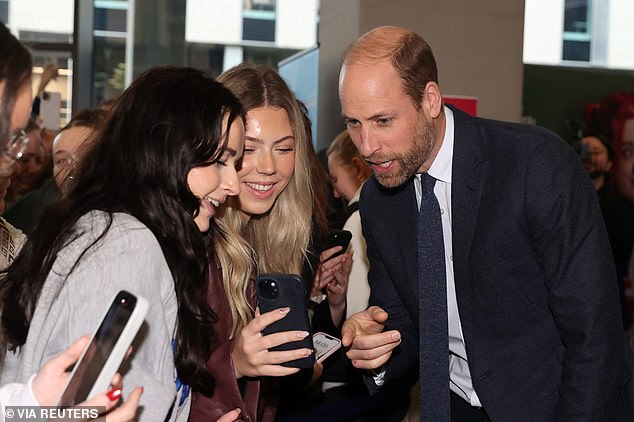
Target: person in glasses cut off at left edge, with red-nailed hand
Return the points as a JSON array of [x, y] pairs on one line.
[[46, 383]]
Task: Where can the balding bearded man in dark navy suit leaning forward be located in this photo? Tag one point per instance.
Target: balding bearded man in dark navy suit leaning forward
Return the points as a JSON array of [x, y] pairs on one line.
[[518, 318]]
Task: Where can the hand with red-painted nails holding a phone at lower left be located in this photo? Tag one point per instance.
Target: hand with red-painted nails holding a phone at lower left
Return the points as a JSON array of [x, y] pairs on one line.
[[52, 377]]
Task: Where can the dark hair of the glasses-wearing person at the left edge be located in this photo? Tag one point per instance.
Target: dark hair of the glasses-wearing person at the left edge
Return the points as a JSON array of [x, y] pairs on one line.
[[15, 70]]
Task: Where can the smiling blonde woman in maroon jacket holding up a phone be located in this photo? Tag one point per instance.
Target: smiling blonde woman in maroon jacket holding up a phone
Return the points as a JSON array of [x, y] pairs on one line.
[[265, 229]]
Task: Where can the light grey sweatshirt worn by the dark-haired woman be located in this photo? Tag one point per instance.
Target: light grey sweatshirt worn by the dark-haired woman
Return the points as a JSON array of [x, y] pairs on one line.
[[129, 258]]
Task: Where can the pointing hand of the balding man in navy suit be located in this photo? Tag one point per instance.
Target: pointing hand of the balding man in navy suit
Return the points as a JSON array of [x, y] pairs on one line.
[[369, 347]]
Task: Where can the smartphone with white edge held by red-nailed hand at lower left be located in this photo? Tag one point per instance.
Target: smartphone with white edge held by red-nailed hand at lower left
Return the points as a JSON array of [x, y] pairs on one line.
[[102, 357]]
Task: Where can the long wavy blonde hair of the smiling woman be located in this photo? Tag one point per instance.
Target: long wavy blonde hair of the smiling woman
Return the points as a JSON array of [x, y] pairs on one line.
[[276, 242]]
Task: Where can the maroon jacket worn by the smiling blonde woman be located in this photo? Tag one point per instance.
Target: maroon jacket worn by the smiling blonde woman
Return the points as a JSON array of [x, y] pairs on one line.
[[257, 399]]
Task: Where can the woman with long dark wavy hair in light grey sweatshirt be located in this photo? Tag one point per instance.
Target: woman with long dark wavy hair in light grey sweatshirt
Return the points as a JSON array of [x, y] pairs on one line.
[[137, 219]]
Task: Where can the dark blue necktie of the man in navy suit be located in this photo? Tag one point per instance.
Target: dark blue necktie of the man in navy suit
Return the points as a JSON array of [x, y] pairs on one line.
[[432, 291]]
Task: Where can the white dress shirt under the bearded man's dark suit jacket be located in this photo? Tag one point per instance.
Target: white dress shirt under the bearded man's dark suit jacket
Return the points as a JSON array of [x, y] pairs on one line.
[[460, 377]]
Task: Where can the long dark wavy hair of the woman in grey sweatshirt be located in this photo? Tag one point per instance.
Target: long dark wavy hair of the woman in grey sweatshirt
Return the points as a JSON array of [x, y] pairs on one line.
[[167, 122]]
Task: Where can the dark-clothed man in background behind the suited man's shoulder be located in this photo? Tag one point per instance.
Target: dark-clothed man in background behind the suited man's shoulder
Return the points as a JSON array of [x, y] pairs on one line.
[[618, 212]]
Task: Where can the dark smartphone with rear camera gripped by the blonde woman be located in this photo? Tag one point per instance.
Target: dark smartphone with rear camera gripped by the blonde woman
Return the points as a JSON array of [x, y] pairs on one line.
[[281, 290]]
